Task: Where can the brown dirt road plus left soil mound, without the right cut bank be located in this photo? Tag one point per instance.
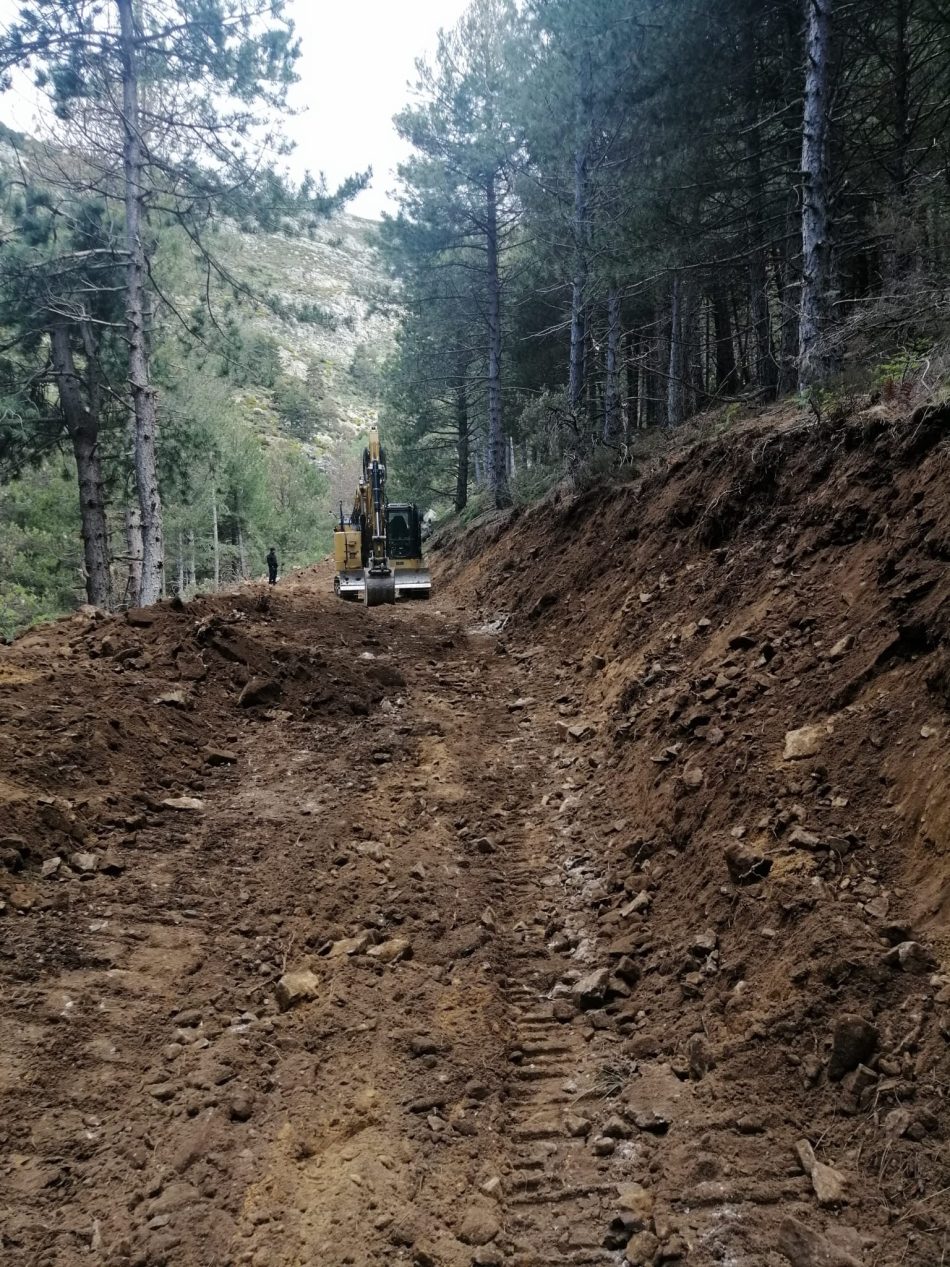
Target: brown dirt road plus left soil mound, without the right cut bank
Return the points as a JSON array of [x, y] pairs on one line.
[[340, 953]]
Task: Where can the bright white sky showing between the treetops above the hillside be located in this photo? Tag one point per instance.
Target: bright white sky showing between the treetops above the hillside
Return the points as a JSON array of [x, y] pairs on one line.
[[358, 60]]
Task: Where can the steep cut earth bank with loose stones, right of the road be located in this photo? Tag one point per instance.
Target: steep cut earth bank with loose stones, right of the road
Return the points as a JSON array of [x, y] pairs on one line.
[[749, 654]]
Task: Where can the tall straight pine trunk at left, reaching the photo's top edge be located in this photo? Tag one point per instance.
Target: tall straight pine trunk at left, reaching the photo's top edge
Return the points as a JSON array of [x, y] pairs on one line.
[[136, 306]]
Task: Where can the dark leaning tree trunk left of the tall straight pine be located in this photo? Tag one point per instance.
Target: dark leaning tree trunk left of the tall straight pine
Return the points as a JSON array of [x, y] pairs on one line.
[[83, 426]]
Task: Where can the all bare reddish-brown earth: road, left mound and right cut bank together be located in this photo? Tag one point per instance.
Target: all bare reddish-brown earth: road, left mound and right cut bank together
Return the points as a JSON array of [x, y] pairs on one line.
[[531, 1012]]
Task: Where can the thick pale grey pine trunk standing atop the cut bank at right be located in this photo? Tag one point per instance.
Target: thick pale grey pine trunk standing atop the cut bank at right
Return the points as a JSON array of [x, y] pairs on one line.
[[814, 359]]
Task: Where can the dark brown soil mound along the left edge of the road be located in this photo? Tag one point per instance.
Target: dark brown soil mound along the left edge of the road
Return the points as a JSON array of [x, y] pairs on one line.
[[106, 720]]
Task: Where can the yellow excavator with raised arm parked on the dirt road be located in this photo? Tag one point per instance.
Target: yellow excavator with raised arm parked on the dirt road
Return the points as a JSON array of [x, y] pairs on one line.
[[378, 549]]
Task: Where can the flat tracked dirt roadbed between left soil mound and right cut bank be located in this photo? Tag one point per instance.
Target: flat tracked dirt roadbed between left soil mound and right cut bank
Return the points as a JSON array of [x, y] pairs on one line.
[[415, 866]]
